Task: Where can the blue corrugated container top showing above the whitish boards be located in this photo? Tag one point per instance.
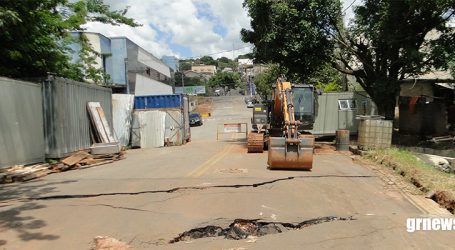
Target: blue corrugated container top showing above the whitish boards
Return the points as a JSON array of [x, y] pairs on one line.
[[158, 101]]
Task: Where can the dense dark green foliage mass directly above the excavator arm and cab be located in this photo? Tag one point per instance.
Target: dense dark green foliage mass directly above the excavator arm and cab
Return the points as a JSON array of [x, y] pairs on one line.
[[293, 34]]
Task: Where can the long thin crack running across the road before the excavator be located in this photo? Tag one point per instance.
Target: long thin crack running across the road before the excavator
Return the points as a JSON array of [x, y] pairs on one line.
[[173, 190]]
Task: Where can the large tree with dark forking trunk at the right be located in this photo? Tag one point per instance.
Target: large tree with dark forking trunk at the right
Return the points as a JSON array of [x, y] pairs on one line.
[[393, 40]]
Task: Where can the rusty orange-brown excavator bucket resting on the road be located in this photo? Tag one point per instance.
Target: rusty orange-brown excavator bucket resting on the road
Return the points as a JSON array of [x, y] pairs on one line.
[[292, 156]]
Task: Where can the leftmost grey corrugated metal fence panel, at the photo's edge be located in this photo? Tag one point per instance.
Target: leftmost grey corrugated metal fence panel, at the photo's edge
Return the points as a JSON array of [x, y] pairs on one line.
[[21, 123]]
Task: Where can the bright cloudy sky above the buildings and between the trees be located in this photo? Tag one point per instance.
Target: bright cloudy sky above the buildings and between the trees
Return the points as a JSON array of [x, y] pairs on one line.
[[185, 28]]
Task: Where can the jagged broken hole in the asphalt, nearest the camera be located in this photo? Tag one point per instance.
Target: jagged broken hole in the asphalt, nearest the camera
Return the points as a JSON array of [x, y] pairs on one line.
[[242, 229]]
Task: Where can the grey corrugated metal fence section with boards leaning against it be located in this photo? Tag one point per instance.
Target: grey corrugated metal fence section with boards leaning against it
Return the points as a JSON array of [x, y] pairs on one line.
[[66, 122]]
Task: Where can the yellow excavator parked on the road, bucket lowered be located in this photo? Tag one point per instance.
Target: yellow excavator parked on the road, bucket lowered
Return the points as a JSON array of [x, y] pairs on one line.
[[291, 114]]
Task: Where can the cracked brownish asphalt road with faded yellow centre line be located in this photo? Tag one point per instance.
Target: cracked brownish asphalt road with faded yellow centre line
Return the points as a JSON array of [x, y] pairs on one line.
[[154, 195]]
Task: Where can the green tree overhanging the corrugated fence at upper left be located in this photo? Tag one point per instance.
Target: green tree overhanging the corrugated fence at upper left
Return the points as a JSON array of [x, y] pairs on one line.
[[34, 34]]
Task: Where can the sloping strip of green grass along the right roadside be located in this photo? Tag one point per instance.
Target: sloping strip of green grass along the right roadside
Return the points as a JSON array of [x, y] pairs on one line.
[[422, 175]]
